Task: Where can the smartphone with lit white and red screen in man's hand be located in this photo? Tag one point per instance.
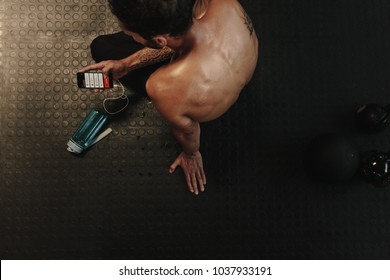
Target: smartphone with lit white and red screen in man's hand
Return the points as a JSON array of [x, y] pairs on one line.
[[94, 80]]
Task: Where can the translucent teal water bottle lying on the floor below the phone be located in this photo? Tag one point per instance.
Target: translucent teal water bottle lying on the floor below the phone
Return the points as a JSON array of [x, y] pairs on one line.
[[89, 132]]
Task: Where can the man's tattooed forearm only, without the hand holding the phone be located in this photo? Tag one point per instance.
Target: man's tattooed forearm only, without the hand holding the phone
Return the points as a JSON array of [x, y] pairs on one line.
[[147, 56]]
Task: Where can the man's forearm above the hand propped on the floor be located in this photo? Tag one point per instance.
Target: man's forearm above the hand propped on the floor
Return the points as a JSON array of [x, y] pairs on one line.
[[189, 140]]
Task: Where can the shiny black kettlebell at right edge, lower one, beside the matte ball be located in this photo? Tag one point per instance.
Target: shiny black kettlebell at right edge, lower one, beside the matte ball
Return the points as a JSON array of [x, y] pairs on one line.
[[375, 168]]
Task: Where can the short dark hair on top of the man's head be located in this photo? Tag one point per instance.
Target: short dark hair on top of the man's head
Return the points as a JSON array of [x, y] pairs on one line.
[[154, 17]]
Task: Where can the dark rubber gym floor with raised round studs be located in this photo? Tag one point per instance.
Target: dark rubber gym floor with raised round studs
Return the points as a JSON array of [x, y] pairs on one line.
[[319, 61]]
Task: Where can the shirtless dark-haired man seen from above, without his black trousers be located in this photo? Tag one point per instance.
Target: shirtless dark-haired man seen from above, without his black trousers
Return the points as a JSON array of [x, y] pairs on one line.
[[214, 51]]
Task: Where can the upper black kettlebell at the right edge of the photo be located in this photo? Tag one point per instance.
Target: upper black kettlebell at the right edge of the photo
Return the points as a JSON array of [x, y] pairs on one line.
[[373, 118]]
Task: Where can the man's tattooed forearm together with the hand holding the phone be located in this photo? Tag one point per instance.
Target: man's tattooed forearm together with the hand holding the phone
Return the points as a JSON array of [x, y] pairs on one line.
[[122, 67]]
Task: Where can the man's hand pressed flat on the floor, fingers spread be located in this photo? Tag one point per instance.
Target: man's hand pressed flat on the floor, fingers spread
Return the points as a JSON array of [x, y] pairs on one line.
[[192, 166]]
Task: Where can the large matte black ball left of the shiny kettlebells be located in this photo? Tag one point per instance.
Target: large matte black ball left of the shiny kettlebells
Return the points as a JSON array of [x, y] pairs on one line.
[[332, 158]]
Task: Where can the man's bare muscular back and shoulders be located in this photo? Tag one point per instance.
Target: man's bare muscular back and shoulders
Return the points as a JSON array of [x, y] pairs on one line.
[[205, 78]]
